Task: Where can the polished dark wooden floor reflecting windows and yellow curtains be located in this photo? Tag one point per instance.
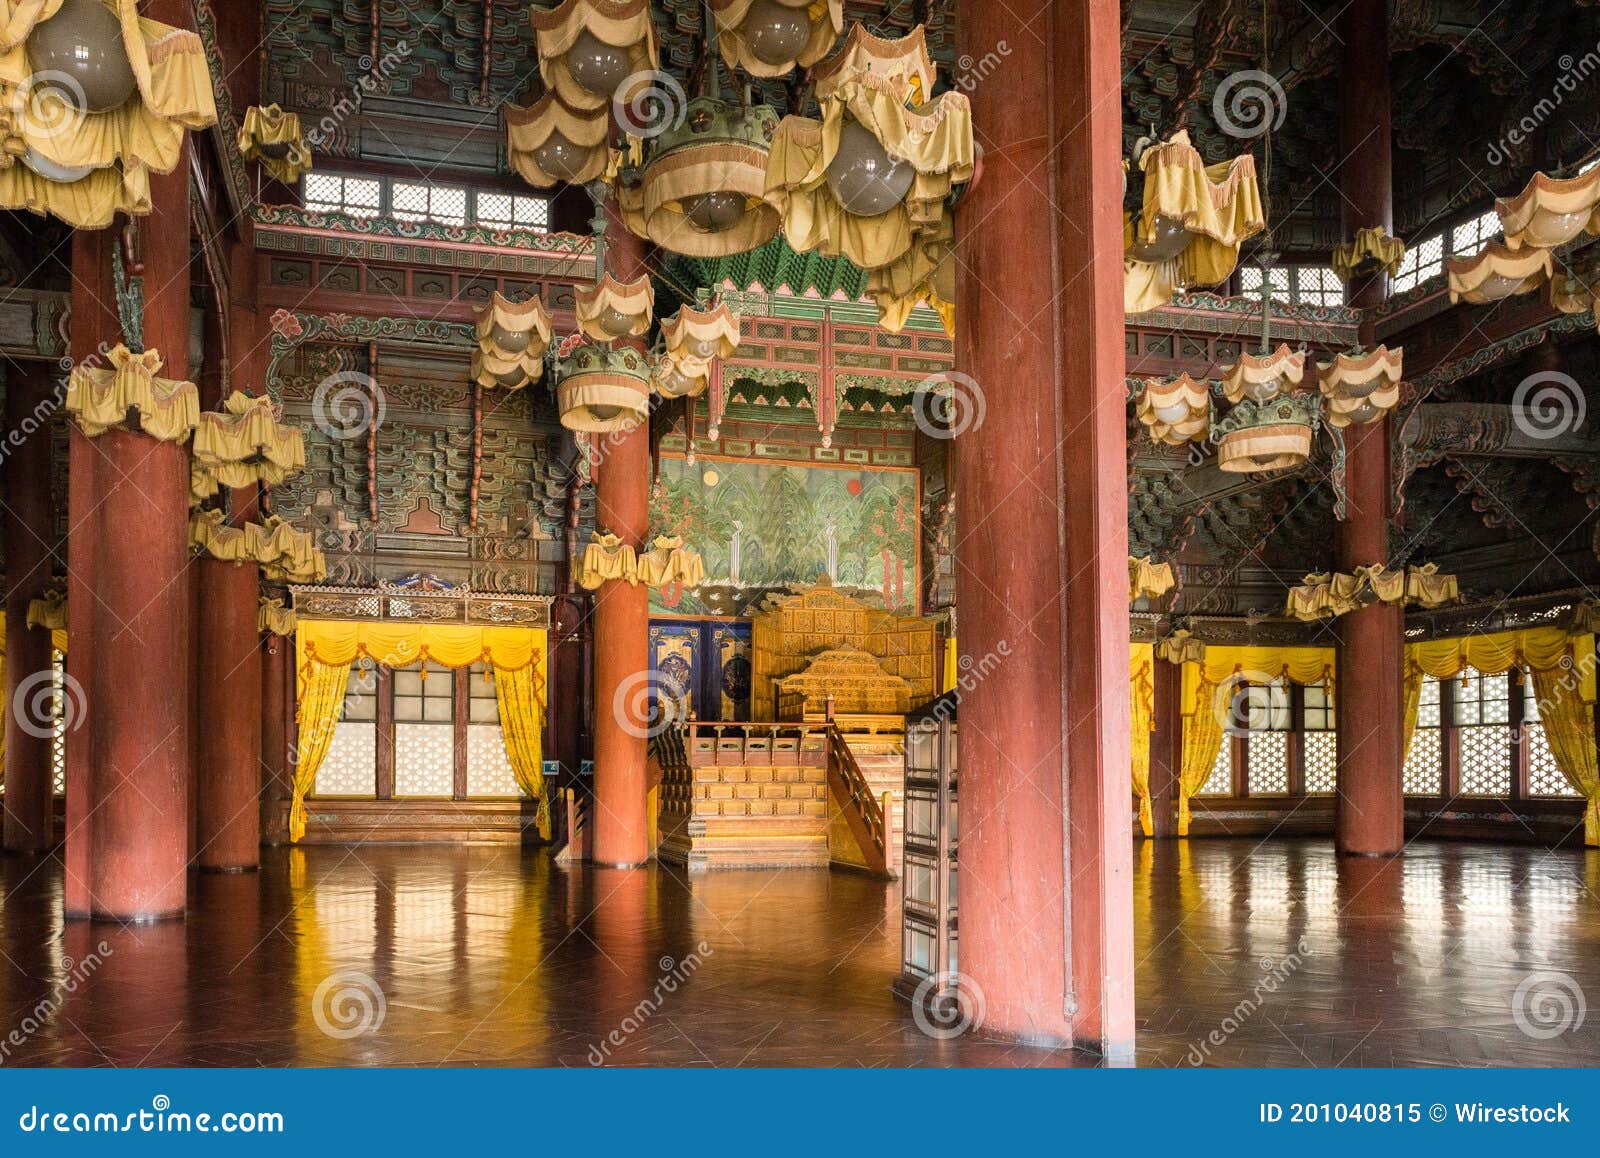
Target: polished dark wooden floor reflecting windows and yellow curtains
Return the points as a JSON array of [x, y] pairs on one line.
[[1271, 954]]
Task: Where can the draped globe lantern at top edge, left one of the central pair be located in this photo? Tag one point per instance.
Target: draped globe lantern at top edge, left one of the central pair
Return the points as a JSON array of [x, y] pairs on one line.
[[588, 49]]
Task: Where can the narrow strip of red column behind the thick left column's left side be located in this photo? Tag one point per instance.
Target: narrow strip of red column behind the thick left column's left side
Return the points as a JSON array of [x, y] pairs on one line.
[[95, 330]]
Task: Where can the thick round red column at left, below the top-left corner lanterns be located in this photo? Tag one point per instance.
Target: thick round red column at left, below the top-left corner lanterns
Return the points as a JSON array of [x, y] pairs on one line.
[[142, 666]]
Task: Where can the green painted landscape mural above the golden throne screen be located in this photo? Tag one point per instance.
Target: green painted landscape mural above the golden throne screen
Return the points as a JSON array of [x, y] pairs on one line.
[[762, 527]]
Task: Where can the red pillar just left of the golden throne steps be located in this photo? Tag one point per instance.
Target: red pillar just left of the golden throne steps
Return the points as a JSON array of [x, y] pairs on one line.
[[622, 615]]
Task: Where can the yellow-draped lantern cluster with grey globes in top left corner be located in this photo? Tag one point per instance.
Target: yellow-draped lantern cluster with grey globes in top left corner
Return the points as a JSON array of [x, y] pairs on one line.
[[95, 102]]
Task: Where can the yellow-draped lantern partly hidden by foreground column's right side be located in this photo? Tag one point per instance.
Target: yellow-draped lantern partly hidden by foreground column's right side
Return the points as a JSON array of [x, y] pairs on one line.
[[1191, 226]]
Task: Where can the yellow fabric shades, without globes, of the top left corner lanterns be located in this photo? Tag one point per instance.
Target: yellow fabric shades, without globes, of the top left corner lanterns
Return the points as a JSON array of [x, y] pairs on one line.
[[121, 146]]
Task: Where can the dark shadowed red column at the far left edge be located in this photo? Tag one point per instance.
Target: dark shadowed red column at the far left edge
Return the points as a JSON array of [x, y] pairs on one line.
[[30, 553]]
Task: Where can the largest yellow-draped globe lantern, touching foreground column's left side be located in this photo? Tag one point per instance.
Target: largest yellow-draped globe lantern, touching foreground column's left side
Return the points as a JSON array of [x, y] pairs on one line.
[[873, 177]]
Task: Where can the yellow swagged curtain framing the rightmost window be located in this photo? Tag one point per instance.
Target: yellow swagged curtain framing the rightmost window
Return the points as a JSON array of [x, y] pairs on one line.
[[1564, 679]]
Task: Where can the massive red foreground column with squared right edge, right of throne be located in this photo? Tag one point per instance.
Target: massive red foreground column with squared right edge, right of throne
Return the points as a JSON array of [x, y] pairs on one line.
[[1047, 906]]
